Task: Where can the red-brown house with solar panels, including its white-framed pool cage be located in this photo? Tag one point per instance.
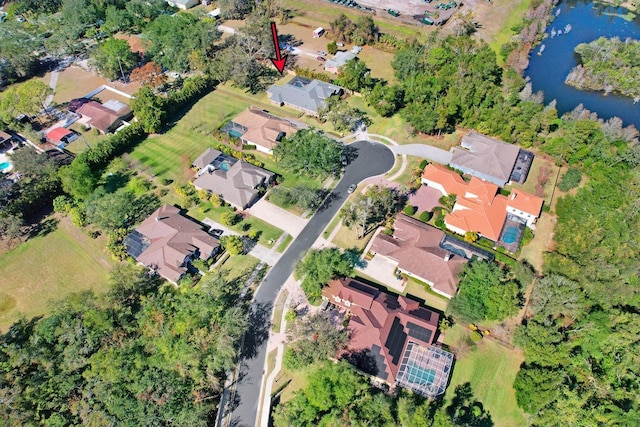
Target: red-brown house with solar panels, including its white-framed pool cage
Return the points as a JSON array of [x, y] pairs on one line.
[[393, 335]]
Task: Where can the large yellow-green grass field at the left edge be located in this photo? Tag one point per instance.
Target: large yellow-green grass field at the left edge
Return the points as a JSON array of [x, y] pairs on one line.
[[47, 268]]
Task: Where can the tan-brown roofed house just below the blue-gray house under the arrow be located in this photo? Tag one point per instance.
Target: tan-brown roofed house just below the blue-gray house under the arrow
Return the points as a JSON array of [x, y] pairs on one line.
[[262, 128]]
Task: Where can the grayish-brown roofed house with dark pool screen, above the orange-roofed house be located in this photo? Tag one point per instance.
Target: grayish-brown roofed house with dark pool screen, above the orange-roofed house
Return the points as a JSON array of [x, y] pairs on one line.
[[487, 158]]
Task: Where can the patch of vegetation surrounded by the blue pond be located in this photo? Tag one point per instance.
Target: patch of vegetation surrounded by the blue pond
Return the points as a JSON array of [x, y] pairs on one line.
[[608, 65]]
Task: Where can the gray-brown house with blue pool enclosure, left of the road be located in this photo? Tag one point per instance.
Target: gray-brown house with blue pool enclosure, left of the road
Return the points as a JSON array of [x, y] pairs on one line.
[[236, 181]]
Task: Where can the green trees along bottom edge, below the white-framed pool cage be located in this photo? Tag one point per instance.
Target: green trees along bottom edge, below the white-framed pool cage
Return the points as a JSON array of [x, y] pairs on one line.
[[336, 395]]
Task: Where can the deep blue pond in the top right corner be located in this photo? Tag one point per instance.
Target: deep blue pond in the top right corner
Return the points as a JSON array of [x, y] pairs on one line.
[[585, 22]]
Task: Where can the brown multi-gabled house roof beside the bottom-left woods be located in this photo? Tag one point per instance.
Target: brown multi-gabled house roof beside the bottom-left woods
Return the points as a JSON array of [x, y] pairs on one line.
[[172, 238]]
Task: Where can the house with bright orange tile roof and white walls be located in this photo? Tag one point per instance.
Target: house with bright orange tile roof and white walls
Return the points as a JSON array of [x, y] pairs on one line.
[[479, 207]]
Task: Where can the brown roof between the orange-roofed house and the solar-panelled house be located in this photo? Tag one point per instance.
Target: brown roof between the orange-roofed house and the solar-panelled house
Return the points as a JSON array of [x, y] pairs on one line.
[[416, 247]]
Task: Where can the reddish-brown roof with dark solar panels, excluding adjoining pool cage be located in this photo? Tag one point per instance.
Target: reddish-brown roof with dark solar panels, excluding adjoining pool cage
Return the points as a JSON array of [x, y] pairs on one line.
[[385, 325]]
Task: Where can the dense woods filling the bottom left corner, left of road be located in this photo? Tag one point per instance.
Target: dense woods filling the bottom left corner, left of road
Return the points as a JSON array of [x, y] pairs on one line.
[[143, 352]]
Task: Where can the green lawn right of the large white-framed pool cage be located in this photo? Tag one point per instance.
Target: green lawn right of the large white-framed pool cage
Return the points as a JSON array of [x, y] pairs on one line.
[[491, 370]]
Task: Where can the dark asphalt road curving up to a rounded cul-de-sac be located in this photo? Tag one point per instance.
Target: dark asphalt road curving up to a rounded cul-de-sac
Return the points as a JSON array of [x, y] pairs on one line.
[[372, 159]]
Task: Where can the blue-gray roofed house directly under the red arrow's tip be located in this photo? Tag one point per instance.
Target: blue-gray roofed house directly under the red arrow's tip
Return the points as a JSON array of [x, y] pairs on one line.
[[303, 94]]
